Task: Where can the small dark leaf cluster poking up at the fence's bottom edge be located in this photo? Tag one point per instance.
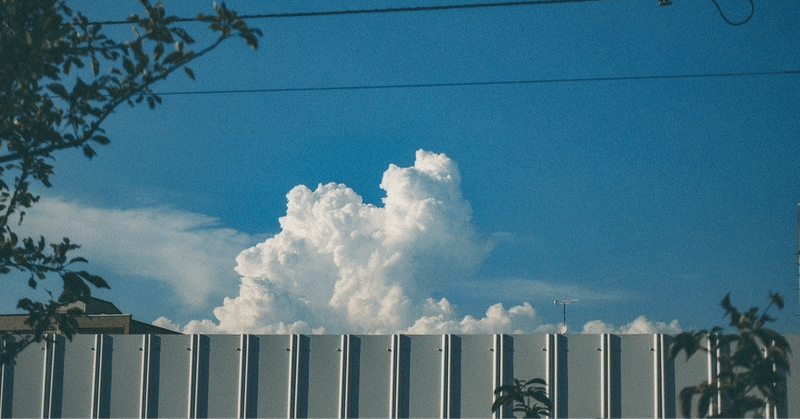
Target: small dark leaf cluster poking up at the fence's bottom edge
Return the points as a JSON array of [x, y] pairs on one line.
[[524, 397]]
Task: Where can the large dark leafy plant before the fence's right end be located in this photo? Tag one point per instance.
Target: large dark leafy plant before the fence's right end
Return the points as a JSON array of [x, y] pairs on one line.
[[753, 359]]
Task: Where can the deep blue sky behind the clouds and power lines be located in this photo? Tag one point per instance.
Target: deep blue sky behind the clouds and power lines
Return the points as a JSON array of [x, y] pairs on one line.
[[639, 197]]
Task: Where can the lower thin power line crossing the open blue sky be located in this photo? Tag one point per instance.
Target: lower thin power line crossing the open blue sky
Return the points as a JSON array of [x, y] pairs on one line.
[[478, 83]]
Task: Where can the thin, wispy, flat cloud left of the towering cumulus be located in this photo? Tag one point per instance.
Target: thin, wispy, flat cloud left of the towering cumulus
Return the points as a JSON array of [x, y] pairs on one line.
[[188, 251]]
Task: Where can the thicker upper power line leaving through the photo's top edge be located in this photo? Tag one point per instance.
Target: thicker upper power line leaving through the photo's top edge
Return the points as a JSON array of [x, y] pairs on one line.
[[380, 10]]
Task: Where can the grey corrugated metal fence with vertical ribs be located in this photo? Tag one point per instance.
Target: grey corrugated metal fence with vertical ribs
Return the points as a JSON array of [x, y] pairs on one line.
[[349, 376]]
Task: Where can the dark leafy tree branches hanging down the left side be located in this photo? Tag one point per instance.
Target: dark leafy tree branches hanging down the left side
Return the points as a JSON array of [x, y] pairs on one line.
[[60, 78]]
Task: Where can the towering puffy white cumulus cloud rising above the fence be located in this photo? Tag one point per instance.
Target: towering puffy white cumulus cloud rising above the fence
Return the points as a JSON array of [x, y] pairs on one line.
[[340, 265]]
